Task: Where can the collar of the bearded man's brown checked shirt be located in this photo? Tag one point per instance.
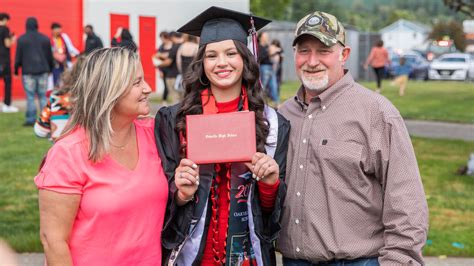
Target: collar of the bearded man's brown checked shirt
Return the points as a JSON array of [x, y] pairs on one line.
[[330, 94]]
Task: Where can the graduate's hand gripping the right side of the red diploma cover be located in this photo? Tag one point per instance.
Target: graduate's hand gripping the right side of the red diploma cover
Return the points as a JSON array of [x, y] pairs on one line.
[[264, 168]]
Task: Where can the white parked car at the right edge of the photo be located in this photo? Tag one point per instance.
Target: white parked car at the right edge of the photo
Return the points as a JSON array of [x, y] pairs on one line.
[[456, 66]]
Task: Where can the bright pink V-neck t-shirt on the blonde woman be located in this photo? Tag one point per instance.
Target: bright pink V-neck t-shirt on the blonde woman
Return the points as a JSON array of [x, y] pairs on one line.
[[120, 217]]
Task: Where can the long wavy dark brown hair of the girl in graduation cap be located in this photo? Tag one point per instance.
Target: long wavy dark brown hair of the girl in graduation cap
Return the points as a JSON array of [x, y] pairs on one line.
[[195, 81]]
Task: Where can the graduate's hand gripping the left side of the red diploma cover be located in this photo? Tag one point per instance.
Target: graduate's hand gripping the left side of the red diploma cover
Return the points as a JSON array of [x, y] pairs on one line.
[[186, 178]]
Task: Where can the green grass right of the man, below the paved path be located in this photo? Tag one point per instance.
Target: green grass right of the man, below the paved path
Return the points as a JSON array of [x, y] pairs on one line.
[[450, 196]]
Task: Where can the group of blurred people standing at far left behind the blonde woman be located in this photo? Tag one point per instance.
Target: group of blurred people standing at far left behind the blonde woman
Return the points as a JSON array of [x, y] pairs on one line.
[[43, 61]]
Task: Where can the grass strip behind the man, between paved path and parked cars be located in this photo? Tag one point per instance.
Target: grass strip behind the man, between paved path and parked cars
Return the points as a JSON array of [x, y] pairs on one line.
[[423, 100]]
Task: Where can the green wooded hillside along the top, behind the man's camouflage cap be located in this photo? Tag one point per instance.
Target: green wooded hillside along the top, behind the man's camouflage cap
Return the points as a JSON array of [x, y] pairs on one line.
[[365, 15]]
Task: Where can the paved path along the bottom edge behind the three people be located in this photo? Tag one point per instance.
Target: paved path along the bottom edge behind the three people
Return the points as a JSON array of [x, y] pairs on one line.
[[36, 259]]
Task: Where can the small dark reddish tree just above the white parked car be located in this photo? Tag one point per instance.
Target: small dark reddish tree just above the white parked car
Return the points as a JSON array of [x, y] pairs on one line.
[[453, 30]]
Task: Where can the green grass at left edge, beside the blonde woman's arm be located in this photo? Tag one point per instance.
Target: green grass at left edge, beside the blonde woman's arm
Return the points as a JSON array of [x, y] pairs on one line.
[[20, 154]]
